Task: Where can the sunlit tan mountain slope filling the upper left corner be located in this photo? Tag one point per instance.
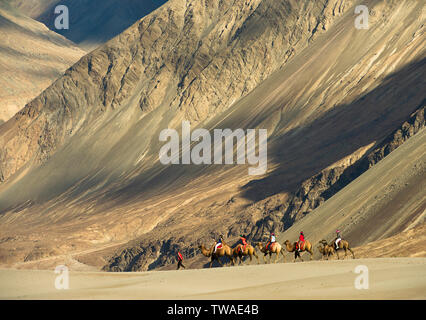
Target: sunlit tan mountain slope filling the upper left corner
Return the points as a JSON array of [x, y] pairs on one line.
[[31, 58]]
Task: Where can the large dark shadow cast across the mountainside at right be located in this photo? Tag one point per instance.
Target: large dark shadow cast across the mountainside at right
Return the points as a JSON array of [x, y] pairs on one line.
[[305, 151]]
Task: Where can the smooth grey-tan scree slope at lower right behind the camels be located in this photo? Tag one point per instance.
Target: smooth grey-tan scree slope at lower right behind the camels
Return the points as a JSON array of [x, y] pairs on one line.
[[386, 200]]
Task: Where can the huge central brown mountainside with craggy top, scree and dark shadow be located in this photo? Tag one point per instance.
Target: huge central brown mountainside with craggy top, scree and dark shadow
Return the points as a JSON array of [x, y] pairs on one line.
[[80, 162]]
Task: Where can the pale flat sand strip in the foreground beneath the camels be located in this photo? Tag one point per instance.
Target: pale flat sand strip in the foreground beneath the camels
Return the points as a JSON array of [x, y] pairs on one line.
[[389, 278]]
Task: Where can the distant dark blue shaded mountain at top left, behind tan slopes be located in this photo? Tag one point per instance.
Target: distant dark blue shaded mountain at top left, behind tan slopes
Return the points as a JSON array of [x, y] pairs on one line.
[[92, 22]]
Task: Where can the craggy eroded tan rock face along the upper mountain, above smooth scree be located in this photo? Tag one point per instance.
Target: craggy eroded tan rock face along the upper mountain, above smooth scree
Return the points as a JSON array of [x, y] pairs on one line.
[[196, 56]]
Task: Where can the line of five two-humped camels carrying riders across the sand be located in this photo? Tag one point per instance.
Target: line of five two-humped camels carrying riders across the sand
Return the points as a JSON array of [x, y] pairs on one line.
[[221, 249]]
